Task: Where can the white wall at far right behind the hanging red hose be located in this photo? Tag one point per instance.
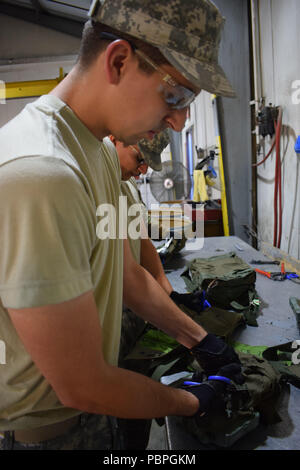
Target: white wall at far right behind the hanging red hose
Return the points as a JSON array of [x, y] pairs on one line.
[[280, 69]]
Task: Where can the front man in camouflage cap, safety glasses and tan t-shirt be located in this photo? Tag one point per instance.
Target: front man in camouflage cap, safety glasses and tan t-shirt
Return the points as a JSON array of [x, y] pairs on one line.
[[63, 284]]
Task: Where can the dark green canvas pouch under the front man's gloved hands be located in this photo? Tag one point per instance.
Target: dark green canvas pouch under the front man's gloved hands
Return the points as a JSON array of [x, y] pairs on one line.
[[241, 408]]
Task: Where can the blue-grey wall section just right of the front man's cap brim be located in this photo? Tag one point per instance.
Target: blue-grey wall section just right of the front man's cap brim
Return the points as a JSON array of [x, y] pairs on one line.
[[235, 115]]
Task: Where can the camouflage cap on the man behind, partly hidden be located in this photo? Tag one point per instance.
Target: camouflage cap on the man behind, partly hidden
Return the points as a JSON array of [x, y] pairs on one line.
[[152, 149]]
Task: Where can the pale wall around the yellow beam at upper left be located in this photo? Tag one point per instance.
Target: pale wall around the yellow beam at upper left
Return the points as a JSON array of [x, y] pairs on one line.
[[31, 52]]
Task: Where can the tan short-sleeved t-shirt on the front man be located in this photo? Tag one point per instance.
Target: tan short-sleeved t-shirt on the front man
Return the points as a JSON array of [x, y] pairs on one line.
[[53, 176]]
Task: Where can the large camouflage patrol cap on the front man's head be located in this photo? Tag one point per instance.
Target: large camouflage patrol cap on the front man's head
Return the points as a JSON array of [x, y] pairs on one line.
[[187, 33]]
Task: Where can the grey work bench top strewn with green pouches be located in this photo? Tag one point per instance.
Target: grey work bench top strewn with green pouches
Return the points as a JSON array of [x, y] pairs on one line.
[[276, 325]]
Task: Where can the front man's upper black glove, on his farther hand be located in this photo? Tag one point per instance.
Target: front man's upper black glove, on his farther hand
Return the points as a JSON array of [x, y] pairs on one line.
[[212, 354]]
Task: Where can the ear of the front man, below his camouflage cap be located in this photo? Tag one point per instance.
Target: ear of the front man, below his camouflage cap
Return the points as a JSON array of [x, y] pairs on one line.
[[118, 57]]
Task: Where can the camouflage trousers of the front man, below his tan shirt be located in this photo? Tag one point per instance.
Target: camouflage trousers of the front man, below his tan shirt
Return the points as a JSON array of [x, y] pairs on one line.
[[93, 432]]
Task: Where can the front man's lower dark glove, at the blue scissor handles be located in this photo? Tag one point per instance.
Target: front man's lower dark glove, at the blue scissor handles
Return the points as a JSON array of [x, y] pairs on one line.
[[213, 388]]
